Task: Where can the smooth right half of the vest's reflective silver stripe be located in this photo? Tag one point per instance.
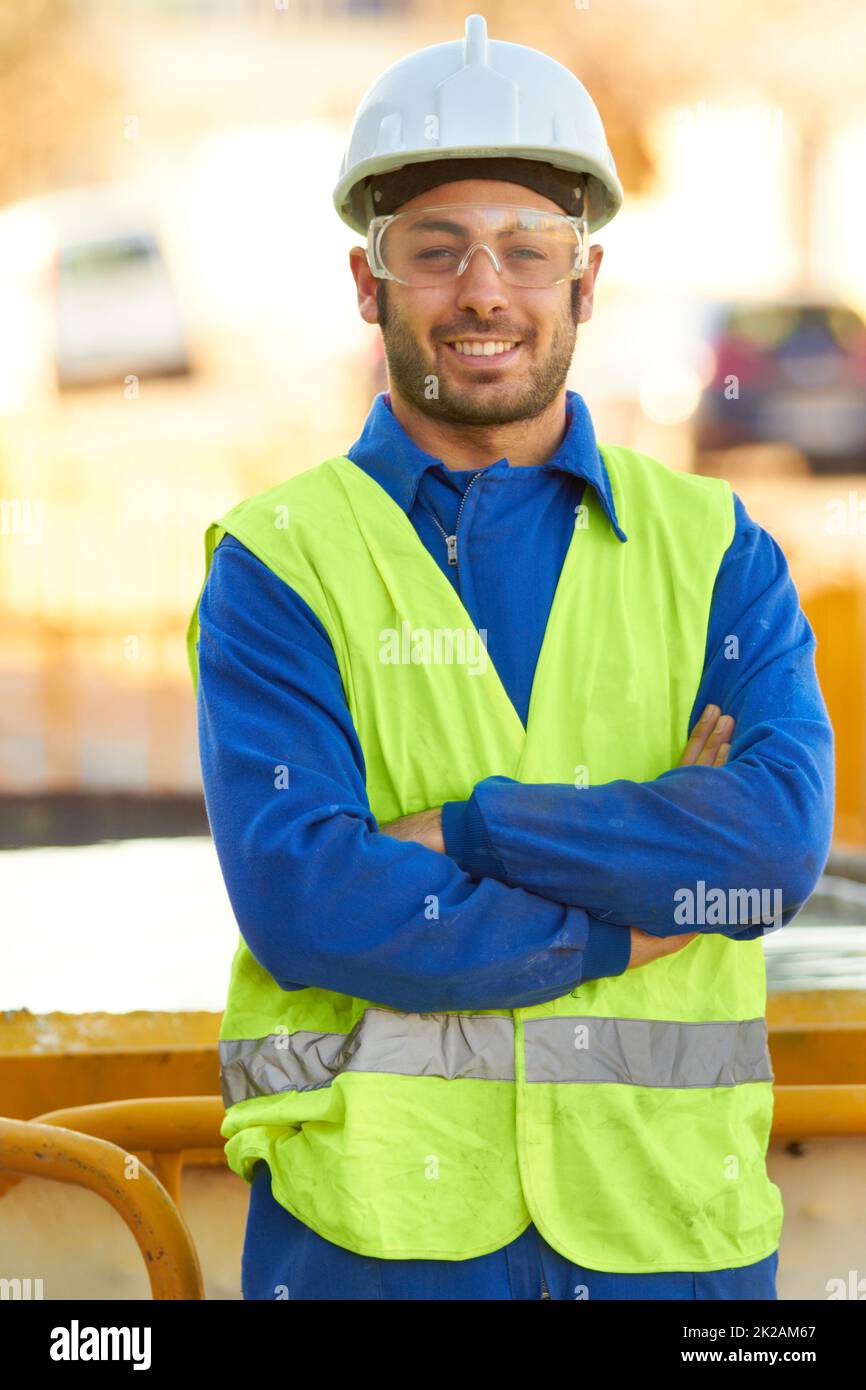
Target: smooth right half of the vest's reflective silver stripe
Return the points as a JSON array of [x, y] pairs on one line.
[[647, 1052]]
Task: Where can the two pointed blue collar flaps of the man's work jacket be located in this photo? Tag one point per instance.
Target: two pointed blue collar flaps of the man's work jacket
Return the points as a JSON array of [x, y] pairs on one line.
[[397, 464]]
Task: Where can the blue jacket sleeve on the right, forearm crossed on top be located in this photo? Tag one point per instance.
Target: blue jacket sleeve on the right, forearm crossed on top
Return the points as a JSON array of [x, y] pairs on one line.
[[626, 851]]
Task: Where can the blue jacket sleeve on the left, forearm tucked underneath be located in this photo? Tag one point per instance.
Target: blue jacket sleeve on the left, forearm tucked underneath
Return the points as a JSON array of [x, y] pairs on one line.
[[320, 894]]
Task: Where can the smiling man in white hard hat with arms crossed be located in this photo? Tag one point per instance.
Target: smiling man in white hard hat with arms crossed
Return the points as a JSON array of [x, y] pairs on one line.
[[466, 704]]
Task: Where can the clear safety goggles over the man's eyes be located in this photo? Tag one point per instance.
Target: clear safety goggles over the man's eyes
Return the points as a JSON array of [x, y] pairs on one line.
[[529, 247]]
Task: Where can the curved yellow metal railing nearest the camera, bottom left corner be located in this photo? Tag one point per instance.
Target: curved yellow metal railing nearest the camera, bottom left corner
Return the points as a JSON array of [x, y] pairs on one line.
[[63, 1156]]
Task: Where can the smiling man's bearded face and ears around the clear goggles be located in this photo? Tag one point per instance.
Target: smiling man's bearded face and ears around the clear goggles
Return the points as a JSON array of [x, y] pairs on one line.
[[420, 325]]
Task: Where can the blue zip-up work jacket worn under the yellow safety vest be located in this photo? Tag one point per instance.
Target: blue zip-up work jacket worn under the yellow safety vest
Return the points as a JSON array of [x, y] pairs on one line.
[[539, 883]]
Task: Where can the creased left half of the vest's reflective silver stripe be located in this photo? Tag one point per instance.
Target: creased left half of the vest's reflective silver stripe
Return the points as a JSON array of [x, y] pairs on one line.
[[405, 1045]]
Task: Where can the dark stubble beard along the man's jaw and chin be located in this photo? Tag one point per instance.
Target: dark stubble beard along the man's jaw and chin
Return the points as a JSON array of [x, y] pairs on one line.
[[416, 380]]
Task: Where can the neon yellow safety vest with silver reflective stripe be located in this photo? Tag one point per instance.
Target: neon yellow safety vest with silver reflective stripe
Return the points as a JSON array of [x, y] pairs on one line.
[[630, 1118]]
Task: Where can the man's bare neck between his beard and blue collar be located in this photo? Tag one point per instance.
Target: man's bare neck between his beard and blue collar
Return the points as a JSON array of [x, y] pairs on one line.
[[523, 443]]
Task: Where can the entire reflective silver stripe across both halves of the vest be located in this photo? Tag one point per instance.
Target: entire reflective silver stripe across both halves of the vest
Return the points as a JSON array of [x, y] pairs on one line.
[[482, 1047]]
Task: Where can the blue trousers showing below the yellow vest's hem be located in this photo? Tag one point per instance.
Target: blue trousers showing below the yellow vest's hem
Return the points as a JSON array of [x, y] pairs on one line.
[[284, 1259]]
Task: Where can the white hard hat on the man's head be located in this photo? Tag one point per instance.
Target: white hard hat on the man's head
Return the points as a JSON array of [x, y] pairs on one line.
[[476, 99]]
